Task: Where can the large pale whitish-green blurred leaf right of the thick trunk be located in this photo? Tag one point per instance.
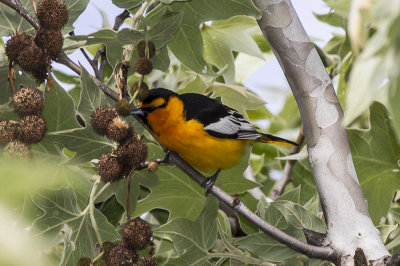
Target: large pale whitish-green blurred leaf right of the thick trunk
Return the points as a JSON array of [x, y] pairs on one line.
[[371, 70]]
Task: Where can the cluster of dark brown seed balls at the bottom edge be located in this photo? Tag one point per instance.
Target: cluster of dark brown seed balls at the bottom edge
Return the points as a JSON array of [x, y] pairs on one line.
[[136, 235]]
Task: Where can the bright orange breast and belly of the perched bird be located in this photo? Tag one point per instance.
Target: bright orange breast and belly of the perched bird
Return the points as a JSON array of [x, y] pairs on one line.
[[189, 139]]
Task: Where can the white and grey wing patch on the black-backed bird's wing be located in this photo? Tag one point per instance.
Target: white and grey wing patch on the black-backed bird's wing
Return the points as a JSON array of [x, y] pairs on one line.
[[234, 124]]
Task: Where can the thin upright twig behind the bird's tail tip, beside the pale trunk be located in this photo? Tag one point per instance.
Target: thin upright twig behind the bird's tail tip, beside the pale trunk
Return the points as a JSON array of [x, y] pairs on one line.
[[287, 170]]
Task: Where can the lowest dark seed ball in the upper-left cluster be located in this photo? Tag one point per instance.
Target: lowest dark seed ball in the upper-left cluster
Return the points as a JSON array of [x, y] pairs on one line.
[[35, 61]]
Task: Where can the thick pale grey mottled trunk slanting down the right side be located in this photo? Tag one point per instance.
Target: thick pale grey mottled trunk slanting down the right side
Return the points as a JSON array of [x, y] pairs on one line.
[[346, 214]]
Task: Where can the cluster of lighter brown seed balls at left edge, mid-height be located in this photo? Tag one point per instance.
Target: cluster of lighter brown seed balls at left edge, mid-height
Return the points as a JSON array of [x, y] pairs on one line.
[[17, 136]]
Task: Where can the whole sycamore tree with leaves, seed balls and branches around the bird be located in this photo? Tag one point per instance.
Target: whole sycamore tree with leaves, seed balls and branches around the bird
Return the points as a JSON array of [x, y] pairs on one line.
[[77, 171]]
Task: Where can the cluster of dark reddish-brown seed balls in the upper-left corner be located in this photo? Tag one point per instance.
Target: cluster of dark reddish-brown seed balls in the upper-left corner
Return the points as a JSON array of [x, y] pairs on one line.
[[33, 55]]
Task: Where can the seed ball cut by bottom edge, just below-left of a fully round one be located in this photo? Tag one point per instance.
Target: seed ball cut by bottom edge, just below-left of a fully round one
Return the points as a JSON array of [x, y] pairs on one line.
[[119, 255]]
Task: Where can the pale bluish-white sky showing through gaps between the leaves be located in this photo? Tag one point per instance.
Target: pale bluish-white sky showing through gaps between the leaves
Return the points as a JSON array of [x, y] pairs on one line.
[[271, 86]]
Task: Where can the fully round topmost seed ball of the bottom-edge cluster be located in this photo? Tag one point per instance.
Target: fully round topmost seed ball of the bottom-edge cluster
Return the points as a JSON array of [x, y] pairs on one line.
[[137, 234]]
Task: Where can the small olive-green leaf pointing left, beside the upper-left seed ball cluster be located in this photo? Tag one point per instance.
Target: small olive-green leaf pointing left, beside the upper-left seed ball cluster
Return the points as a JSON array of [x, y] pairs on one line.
[[109, 39]]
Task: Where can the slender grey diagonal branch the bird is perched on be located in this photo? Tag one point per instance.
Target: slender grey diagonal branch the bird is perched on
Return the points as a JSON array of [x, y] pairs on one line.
[[325, 253]]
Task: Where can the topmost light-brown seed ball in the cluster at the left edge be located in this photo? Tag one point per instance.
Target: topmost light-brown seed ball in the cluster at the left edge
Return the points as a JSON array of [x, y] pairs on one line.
[[28, 101]]
